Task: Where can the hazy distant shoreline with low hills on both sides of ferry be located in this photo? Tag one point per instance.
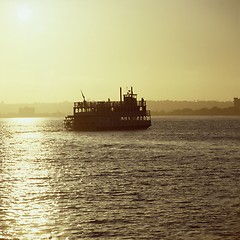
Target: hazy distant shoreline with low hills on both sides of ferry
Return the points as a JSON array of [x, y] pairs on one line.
[[157, 108]]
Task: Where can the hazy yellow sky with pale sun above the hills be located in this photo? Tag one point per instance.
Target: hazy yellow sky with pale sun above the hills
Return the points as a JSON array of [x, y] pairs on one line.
[[50, 50]]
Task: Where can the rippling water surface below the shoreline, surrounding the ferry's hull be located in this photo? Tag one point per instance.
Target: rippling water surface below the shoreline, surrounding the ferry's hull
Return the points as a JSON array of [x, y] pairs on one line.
[[177, 180]]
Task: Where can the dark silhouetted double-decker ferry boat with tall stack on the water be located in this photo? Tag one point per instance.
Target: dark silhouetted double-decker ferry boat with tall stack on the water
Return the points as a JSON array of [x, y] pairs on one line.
[[126, 114]]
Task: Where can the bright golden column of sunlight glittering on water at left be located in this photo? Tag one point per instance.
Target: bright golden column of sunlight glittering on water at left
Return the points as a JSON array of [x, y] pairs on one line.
[[27, 212]]
